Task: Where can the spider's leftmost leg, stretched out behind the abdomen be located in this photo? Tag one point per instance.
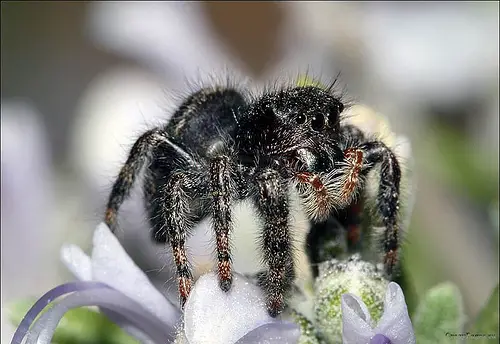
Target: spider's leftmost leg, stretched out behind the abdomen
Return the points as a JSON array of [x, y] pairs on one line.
[[140, 153]]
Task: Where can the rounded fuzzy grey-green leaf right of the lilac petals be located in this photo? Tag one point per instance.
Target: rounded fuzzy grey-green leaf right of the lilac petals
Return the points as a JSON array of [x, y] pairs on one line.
[[439, 314]]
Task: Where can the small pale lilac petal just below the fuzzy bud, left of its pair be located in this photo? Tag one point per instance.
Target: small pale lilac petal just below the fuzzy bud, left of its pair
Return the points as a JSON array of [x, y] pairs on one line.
[[355, 320]]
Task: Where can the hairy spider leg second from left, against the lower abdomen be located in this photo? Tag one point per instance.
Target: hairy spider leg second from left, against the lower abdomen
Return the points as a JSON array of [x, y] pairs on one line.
[[172, 183]]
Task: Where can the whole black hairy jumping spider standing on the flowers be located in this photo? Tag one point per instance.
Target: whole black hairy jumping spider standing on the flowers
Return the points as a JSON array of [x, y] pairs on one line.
[[221, 147]]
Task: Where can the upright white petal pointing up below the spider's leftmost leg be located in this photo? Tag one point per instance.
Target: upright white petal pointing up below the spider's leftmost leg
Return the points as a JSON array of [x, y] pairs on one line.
[[112, 265]]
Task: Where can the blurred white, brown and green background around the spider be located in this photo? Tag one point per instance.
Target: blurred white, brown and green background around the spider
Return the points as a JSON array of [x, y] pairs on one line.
[[81, 81]]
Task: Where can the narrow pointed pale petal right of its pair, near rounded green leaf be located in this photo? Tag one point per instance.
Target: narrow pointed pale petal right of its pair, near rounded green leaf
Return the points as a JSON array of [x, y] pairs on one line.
[[395, 323]]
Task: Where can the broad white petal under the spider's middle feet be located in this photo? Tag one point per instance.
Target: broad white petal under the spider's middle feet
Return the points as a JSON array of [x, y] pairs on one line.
[[214, 316]]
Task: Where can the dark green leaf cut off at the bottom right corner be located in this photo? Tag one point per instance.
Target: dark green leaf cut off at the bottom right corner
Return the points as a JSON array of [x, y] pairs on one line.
[[487, 321]]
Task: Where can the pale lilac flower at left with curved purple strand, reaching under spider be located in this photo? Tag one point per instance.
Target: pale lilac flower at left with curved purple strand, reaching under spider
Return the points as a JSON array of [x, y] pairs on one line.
[[112, 281]]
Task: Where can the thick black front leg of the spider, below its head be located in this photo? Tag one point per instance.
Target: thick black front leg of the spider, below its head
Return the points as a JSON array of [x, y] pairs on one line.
[[272, 203]]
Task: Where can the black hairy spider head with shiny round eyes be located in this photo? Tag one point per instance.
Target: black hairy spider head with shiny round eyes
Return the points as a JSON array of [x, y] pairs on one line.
[[300, 124]]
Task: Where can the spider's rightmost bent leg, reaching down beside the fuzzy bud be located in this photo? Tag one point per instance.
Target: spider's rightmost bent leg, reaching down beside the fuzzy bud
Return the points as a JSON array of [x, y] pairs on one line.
[[388, 198]]
